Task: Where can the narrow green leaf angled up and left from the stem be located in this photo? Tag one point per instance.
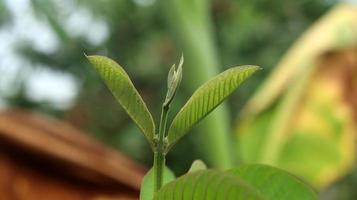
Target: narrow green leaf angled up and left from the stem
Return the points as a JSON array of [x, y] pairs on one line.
[[124, 91]]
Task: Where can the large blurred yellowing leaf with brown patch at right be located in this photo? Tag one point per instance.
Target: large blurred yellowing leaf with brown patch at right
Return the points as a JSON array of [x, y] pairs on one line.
[[303, 118]]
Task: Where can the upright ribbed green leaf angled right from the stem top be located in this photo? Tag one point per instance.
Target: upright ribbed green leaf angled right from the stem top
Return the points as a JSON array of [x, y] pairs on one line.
[[207, 98]]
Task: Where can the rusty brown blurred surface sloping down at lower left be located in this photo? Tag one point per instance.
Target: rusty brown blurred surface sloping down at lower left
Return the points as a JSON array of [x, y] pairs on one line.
[[43, 158]]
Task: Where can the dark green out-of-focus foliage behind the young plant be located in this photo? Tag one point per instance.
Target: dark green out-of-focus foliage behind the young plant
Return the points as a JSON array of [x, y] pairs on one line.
[[244, 32]]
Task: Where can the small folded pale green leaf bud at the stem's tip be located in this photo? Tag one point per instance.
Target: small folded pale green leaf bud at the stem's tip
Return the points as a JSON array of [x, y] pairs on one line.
[[173, 81]]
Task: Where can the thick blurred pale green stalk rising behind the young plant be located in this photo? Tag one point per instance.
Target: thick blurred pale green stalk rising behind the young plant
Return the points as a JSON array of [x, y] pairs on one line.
[[191, 23]]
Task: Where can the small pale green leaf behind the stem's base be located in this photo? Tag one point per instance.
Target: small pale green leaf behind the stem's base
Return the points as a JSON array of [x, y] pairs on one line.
[[147, 186]]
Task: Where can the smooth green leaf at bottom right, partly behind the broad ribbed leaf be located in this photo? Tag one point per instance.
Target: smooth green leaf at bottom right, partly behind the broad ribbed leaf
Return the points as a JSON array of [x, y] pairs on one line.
[[273, 183]]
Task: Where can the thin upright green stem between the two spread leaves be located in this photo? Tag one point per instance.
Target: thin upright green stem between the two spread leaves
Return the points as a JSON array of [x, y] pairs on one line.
[[159, 155]]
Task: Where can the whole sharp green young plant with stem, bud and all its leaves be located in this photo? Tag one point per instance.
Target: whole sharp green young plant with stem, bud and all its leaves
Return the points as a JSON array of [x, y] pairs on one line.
[[255, 182]]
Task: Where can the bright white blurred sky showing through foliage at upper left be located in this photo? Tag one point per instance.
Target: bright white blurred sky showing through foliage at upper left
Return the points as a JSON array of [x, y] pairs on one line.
[[43, 84]]
